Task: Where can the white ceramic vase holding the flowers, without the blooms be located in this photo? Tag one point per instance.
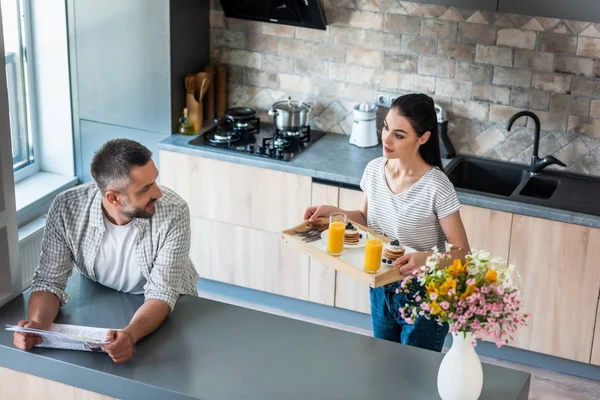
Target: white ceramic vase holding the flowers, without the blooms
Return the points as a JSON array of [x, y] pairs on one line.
[[460, 376]]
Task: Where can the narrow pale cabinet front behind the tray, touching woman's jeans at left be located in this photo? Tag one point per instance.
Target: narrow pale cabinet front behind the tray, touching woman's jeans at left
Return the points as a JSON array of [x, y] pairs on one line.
[[351, 294]]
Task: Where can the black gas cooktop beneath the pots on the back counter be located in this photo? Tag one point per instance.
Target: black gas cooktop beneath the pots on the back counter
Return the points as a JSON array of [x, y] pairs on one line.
[[259, 140]]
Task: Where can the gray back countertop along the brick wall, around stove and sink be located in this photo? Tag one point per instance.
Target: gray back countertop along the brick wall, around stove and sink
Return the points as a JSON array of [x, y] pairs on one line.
[[335, 160]]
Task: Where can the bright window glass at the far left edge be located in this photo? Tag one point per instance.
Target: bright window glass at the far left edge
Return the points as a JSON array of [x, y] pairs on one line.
[[16, 29]]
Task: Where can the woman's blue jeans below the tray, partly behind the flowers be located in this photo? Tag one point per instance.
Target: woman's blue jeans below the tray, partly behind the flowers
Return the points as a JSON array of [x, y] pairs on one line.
[[388, 325]]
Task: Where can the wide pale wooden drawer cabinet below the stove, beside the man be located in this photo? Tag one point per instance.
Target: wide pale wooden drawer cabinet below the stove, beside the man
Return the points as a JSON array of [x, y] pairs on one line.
[[237, 215]]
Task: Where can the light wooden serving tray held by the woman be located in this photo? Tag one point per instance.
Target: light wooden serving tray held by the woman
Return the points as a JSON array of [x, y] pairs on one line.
[[350, 262]]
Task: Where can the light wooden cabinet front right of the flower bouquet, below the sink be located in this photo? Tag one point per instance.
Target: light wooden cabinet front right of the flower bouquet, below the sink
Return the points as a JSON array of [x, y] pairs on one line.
[[558, 263]]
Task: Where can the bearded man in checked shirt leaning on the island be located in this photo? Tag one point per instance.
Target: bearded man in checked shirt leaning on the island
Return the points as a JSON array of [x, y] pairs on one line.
[[123, 231]]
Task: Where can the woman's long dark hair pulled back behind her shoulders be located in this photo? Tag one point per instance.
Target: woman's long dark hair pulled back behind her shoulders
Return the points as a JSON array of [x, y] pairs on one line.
[[420, 111]]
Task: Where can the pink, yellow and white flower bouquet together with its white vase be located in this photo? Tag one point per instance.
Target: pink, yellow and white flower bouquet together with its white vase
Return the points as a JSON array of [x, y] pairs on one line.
[[479, 299]]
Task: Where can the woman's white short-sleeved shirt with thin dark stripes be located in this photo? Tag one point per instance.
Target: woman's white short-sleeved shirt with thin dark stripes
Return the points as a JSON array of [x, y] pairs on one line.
[[413, 215]]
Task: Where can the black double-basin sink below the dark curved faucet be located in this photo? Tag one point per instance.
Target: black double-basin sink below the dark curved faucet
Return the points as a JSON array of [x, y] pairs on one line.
[[556, 189]]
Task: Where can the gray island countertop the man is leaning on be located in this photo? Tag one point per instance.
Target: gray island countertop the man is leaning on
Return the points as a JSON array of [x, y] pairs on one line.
[[210, 350]]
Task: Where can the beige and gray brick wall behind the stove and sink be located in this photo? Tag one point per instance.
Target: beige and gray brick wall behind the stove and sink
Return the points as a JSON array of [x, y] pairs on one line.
[[482, 66]]
